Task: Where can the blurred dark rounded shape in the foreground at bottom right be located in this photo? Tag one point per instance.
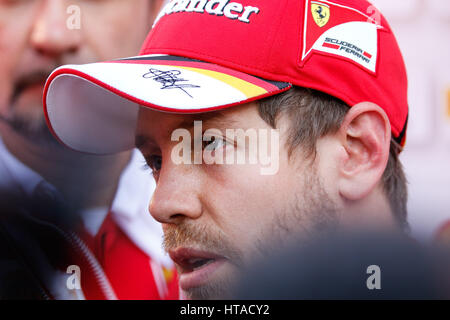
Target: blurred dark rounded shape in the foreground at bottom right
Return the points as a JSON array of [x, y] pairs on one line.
[[349, 265]]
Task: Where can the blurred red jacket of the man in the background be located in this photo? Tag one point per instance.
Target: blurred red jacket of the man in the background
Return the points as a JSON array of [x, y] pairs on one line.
[[131, 273]]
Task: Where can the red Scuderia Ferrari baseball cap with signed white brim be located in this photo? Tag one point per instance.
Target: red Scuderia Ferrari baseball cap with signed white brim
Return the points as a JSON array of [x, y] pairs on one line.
[[204, 55]]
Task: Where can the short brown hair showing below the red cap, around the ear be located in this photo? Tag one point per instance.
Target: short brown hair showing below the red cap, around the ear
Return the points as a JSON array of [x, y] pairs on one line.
[[314, 114]]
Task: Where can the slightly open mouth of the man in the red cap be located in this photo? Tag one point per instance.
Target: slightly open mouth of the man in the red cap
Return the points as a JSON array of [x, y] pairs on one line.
[[196, 267]]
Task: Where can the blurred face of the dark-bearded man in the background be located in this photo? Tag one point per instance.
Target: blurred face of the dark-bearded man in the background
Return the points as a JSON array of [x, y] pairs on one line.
[[37, 36]]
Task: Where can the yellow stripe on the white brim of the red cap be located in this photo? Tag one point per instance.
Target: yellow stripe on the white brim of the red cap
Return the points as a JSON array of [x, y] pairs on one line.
[[250, 90]]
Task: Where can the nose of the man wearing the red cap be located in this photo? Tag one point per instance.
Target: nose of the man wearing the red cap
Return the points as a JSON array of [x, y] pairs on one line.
[[177, 194]]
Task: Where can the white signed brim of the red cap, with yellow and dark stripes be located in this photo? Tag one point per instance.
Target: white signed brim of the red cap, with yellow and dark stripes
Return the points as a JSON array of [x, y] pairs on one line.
[[93, 107]]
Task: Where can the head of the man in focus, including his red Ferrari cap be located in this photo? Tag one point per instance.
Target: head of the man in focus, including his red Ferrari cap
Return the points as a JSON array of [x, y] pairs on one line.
[[236, 182]]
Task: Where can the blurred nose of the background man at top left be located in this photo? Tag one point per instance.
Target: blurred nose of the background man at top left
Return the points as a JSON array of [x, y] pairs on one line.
[[51, 33]]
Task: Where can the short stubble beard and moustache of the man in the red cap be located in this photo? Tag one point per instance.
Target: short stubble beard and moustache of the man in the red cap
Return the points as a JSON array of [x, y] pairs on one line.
[[311, 214]]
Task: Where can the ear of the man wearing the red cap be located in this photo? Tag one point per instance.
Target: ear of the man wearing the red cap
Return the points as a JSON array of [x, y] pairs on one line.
[[366, 136]]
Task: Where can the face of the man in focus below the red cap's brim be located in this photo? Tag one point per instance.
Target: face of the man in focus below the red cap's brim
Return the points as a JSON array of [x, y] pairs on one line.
[[219, 217]]
